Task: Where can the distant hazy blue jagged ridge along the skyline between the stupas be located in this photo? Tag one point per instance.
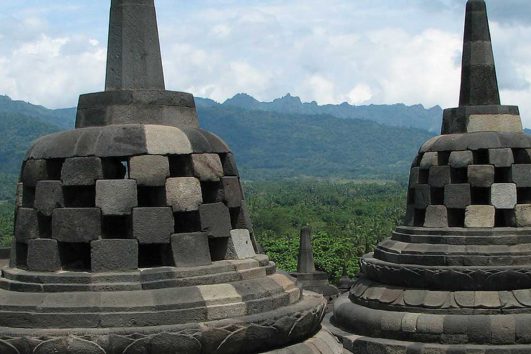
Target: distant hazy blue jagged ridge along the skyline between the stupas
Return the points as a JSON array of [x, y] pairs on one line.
[[396, 115]]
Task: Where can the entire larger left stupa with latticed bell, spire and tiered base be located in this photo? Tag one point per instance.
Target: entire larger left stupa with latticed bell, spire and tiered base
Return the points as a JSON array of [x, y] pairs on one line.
[[132, 233]]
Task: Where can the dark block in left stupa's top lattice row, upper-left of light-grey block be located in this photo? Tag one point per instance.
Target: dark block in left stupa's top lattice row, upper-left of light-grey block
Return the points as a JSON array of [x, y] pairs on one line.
[[81, 171]]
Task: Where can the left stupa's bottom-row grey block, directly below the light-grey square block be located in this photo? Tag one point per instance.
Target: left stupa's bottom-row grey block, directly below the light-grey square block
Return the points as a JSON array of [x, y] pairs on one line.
[[113, 255]]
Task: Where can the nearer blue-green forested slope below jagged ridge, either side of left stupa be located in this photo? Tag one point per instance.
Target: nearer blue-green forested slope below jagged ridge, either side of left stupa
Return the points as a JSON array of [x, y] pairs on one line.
[[268, 144]]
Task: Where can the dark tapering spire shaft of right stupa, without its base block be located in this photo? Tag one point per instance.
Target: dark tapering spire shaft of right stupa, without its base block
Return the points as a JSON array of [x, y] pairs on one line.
[[479, 85]]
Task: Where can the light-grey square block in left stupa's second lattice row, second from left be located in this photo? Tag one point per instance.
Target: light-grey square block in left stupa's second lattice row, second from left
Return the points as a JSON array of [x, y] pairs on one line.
[[116, 197]]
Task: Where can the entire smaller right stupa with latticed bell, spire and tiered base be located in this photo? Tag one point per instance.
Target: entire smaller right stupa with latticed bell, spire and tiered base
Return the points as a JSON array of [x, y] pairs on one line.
[[456, 278]]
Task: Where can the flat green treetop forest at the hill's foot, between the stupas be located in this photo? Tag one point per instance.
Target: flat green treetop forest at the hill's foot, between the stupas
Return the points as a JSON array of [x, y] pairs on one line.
[[347, 218]]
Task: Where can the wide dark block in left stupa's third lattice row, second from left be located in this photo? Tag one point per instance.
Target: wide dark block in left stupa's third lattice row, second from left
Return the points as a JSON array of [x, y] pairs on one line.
[[76, 224]]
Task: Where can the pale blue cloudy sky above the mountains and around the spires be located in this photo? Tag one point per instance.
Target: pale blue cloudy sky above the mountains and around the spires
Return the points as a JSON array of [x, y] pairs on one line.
[[356, 51]]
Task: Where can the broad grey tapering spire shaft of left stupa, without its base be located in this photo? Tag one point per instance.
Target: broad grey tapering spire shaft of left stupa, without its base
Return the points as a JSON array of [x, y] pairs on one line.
[[133, 55]]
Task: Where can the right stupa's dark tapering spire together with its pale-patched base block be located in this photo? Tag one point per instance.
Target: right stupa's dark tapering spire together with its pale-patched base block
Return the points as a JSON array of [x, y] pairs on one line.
[[479, 108]]
